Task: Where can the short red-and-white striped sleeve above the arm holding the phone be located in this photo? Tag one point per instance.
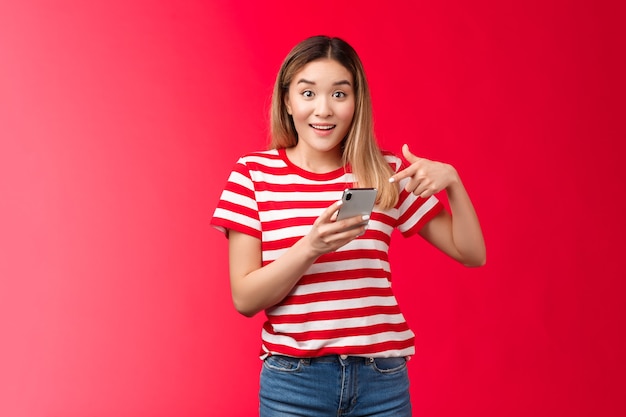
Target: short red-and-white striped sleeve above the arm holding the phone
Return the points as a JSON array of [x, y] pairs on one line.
[[237, 207]]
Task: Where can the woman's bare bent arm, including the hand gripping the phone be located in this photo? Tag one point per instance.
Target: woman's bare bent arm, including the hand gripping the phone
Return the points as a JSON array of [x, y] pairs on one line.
[[255, 287]]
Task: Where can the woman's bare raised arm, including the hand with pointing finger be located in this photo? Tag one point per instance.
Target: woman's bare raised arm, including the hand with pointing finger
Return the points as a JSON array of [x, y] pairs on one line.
[[458, 235]]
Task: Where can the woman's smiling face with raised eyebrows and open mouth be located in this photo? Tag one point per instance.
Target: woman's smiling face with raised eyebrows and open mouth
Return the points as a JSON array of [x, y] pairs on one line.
[[321, 101]]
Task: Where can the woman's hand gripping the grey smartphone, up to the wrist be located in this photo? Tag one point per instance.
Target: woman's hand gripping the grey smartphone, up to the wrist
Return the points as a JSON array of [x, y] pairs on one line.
[[328, 234]]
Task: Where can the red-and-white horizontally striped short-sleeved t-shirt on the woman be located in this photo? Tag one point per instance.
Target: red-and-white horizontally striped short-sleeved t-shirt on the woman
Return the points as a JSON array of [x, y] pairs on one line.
[[343, 304]]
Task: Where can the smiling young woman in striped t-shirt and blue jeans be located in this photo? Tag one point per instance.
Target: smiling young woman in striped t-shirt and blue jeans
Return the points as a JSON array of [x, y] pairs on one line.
[[335, 341]]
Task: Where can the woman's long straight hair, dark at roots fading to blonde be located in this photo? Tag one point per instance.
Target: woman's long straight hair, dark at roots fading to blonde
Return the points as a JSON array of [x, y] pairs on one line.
[[360, 148]]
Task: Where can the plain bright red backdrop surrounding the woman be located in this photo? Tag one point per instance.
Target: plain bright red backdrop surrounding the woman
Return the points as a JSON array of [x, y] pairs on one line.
[[119, 123]]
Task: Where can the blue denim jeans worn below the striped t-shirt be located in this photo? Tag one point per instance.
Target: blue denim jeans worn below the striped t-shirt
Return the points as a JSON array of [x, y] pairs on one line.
[[334, 386]]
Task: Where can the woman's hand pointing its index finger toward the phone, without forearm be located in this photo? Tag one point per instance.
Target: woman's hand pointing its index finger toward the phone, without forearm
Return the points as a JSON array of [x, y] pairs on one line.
[[426, 177]]
